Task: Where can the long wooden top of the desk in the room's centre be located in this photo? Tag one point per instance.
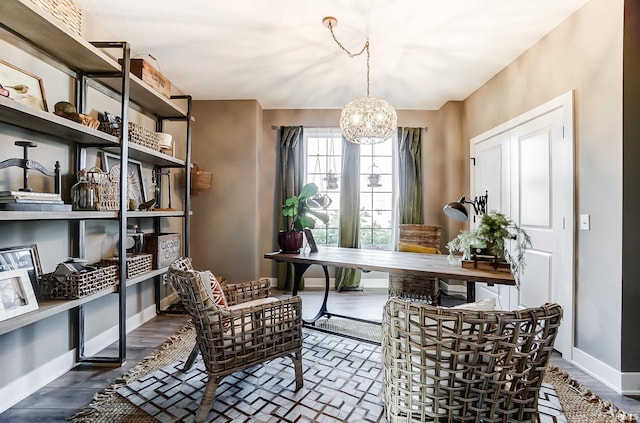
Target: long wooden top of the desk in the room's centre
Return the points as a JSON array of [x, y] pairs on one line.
[[428, 265]]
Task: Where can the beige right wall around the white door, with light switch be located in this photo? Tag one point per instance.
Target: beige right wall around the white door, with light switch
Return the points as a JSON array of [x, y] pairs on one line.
[[583, 54]]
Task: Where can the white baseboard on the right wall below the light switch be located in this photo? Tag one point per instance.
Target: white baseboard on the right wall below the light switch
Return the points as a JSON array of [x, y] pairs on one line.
[[624, 383]]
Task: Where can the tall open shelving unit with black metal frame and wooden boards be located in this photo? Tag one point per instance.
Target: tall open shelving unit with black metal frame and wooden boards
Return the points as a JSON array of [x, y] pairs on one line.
[[26, 21]]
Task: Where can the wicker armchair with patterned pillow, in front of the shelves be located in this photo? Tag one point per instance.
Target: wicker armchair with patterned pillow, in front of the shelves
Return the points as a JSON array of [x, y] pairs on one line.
[[242, 335]]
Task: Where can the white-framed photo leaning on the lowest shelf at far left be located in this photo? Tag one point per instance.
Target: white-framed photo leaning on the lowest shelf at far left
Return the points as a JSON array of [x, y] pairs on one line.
[[16, 294]]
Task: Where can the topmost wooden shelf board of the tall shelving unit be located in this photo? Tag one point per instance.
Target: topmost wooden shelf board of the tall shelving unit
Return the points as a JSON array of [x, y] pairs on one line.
[[40, 28]]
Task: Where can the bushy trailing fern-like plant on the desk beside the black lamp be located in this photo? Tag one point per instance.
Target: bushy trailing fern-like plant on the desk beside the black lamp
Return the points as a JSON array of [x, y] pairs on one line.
[[492, 237]]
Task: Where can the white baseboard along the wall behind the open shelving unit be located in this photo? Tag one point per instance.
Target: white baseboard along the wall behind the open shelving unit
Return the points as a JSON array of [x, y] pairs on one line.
[[29, 383]]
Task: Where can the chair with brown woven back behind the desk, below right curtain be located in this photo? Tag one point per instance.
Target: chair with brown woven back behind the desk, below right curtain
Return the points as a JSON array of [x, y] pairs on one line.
[[416, 288]]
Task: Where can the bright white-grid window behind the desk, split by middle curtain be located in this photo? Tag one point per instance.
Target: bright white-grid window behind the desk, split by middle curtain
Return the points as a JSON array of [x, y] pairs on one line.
[[323, 150]]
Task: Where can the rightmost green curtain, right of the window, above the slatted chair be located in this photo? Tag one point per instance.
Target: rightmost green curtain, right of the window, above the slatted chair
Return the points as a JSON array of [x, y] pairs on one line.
[[410, 175]]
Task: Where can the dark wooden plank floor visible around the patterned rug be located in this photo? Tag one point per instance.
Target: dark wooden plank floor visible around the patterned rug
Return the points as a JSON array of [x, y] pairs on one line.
[[63, 397]]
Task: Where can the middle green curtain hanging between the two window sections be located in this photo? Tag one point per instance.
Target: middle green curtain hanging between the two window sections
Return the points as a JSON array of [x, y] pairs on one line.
[[349, 279]]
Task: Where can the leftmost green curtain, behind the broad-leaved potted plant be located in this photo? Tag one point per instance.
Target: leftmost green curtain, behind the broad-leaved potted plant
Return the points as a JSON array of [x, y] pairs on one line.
[[291, 160]]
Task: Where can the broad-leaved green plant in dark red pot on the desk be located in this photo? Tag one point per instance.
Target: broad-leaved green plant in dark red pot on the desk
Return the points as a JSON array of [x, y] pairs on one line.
[[301, 213]]
